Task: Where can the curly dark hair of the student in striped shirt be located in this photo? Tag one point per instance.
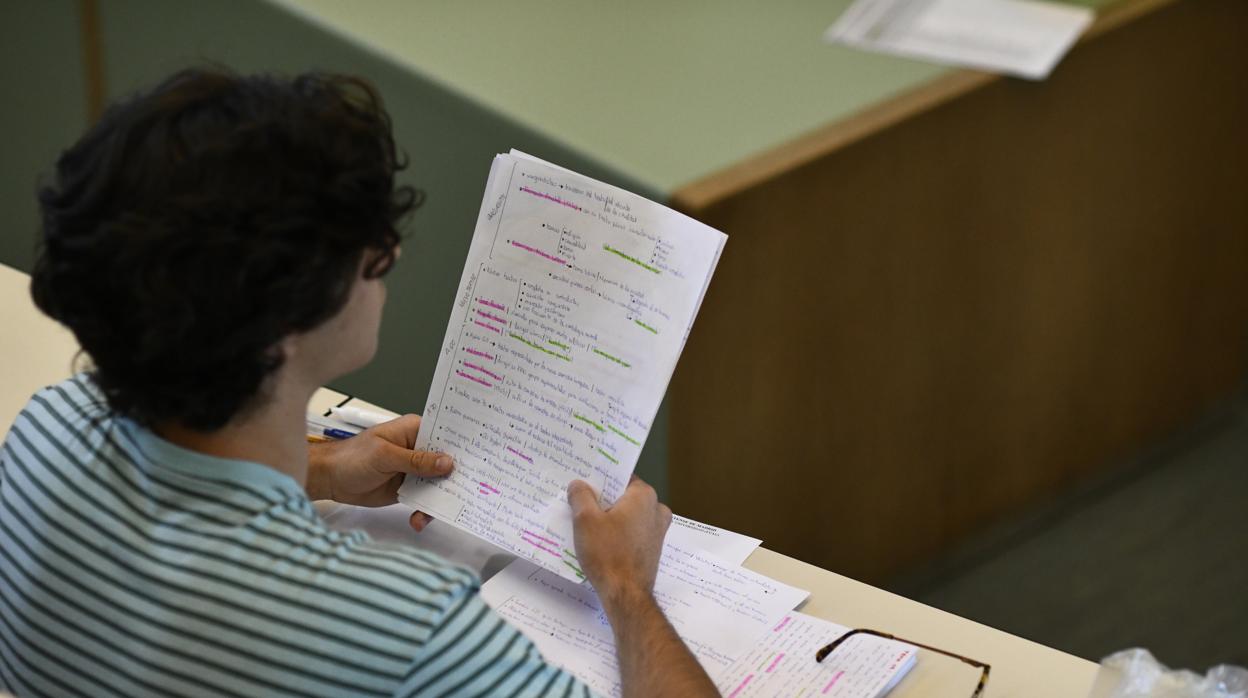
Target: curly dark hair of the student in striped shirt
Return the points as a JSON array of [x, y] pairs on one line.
[[200, 223]]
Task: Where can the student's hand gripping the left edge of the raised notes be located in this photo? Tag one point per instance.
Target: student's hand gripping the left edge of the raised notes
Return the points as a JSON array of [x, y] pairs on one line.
[[369, 469]]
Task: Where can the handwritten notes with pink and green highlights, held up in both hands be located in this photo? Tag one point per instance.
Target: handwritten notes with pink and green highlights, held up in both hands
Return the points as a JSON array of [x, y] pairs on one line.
[[575, 304]]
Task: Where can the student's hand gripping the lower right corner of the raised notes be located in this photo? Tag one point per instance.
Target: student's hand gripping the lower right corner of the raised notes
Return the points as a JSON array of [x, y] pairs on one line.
[[620, 548]]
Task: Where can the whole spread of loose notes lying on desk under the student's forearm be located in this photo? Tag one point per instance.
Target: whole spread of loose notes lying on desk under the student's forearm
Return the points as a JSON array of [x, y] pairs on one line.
[[739, 625]]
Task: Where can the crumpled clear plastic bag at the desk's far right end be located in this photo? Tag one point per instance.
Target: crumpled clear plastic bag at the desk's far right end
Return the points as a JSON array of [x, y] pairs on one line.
[[1145, 677]]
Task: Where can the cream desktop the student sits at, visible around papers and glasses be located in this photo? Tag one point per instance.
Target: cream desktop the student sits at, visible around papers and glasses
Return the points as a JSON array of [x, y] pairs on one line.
[[36, 353]]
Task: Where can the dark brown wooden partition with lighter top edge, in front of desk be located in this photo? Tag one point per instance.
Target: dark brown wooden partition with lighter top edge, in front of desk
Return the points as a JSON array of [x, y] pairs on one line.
[[953, 314]]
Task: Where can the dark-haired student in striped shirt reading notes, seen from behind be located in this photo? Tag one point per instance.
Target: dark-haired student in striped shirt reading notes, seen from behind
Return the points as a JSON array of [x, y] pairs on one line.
[[218, 247]]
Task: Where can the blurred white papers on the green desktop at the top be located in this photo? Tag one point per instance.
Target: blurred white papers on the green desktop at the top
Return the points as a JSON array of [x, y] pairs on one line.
[[1024, 38]]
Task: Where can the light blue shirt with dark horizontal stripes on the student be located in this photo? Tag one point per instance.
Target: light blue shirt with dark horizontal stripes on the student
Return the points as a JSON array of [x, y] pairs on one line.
[[133, 568]]
